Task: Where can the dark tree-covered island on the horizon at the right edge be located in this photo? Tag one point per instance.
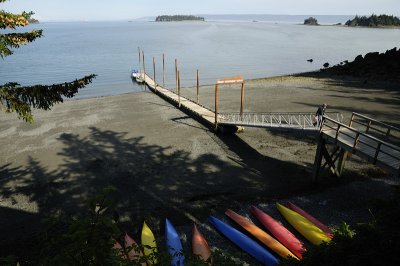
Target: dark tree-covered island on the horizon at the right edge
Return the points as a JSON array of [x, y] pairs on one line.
[[374, 21]]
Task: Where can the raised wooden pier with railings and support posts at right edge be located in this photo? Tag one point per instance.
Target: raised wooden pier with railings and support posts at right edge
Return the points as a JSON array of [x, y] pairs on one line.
[[360, 142]]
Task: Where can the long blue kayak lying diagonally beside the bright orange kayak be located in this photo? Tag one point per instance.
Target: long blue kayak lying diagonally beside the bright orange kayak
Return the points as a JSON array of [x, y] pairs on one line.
[[244, 242]]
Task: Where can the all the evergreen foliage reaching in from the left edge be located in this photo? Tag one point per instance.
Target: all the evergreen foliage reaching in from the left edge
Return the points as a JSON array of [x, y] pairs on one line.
[[21, 99]]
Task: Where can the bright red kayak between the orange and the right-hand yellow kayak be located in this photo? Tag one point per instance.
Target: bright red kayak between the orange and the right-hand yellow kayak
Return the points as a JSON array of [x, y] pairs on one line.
[[289, 240]]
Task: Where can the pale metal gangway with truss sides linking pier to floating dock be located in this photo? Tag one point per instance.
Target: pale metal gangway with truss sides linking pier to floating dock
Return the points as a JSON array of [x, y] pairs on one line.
[[290, 120]]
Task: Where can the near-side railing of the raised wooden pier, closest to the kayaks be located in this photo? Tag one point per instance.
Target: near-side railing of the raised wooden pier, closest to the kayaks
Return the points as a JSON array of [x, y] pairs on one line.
[[357, 139]]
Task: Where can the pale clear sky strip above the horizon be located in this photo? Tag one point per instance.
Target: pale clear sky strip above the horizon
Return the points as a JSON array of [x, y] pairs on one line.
[[88, 10]]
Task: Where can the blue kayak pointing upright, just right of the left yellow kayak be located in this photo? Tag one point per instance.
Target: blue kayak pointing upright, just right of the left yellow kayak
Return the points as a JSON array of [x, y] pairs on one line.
[[174, 245]]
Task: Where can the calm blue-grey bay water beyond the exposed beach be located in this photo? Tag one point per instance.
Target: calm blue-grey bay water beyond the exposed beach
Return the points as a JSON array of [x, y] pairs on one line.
[[219, 48]]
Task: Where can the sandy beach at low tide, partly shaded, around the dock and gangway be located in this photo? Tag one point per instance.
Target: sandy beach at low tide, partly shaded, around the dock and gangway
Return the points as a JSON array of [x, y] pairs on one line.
[[164, 164]]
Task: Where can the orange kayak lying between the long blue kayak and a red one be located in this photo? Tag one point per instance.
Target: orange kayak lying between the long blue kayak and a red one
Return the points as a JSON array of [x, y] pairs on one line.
[[261, 235]]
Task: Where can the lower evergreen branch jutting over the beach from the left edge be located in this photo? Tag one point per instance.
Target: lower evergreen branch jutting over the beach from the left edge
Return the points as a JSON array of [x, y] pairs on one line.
[[14, 98]]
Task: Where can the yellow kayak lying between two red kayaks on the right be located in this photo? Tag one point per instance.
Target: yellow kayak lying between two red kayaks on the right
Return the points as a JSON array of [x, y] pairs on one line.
[[303, 226]]
